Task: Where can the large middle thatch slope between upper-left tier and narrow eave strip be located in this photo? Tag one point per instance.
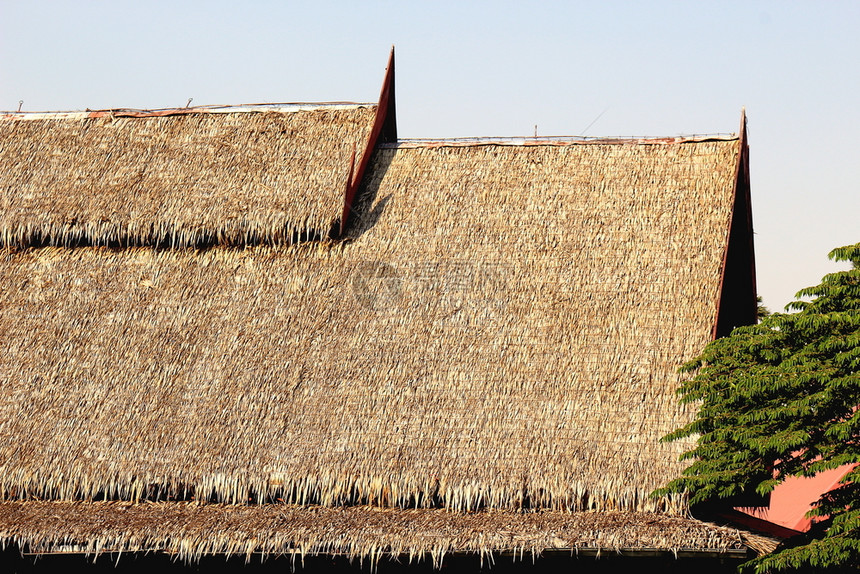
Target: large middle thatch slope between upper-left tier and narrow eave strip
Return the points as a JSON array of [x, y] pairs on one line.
[[501, 330]]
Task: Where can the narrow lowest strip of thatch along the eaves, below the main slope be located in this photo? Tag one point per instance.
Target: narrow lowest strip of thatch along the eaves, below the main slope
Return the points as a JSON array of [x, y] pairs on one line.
[[191, 530]]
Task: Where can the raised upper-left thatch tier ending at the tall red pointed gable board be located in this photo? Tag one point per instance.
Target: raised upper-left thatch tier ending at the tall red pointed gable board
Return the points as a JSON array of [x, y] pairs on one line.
[[194, 178]]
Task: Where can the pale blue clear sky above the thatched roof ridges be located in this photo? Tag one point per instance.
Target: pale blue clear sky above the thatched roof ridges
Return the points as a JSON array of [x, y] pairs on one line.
[[499, 68]]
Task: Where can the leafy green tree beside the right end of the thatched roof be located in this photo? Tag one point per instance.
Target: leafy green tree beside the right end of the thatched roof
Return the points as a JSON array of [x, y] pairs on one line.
[[779, 399]]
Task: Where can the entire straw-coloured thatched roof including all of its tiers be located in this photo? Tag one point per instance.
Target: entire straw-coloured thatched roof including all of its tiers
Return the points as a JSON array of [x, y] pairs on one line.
[[498, 329]]
